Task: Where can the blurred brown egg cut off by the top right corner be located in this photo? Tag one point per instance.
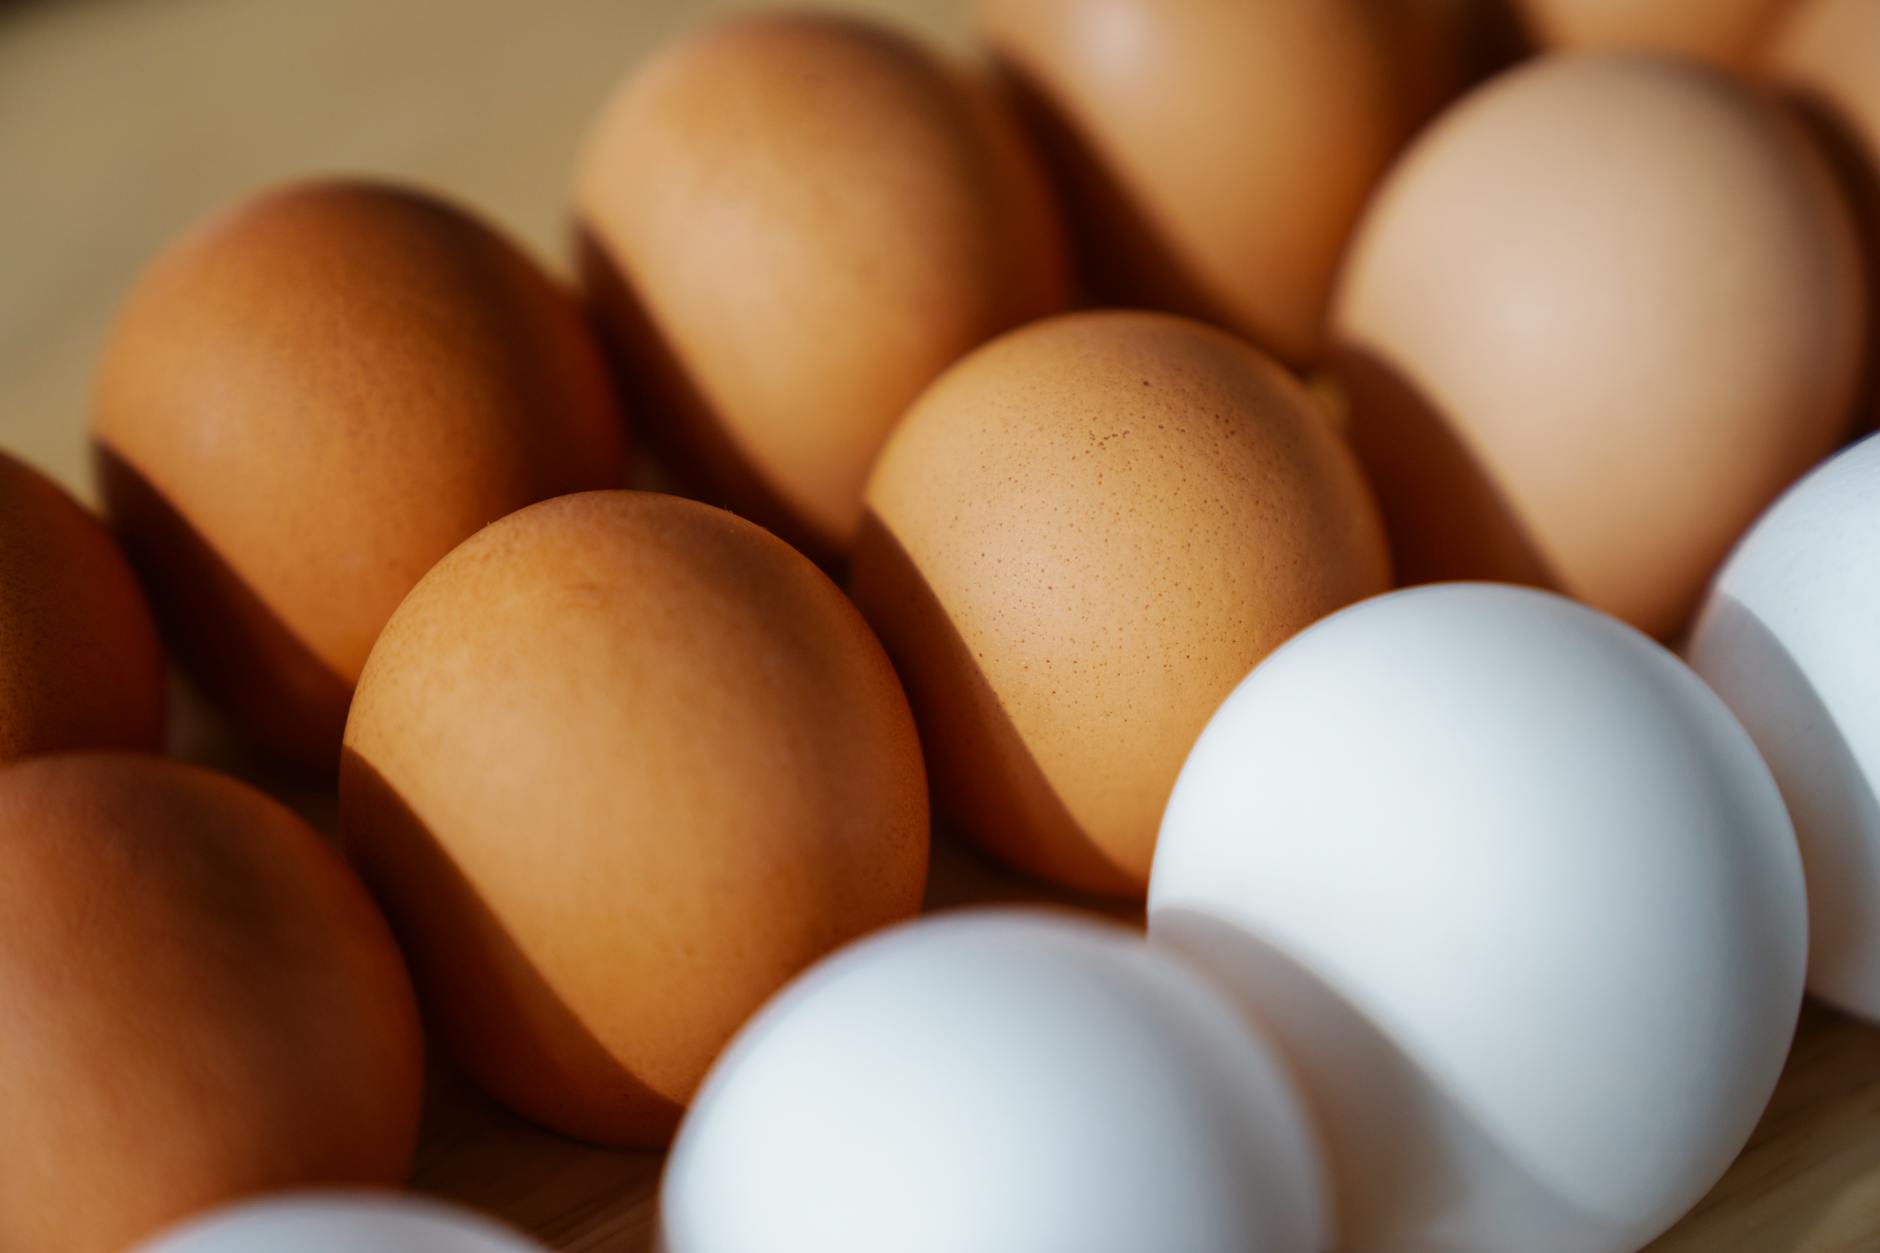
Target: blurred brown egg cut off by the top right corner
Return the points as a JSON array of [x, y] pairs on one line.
[[1828, 59]]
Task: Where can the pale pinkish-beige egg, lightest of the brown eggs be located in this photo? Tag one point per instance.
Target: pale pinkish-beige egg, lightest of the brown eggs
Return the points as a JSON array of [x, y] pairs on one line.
[[1599, 390]]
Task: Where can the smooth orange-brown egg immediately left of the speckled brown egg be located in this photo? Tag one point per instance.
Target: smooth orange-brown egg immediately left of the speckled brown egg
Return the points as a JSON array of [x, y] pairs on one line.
[[619, 769]]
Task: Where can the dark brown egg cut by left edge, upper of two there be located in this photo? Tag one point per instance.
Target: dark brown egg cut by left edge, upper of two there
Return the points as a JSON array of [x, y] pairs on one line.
[[80, 667]]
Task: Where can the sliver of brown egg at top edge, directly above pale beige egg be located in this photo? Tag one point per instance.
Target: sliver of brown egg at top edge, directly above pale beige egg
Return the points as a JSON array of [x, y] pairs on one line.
[[1725, 33]]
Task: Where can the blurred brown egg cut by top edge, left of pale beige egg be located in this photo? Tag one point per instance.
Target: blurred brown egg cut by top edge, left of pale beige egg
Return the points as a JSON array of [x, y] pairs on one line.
[[1217, 153]]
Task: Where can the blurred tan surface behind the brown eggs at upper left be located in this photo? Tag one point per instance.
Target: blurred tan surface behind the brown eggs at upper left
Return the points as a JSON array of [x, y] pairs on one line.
[[123, 121]]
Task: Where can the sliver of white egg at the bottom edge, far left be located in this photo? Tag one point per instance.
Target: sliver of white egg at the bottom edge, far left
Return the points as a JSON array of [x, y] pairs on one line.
[[339, 1222]]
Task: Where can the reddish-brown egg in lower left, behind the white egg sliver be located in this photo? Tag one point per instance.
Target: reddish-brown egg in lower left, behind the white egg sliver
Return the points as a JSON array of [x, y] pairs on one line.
[[200, 1004]]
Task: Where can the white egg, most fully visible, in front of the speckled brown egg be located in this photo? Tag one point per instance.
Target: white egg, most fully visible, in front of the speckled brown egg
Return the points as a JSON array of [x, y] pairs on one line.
[[1516, 896]]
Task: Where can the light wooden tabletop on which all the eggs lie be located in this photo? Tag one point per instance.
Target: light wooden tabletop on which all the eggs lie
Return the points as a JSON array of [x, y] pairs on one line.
[[125, 119]]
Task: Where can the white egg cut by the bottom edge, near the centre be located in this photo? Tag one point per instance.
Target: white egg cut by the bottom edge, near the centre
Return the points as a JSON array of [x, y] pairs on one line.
[[995, 1081]]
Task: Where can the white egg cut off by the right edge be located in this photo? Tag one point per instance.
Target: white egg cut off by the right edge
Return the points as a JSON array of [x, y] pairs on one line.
[[1791, 639]]
